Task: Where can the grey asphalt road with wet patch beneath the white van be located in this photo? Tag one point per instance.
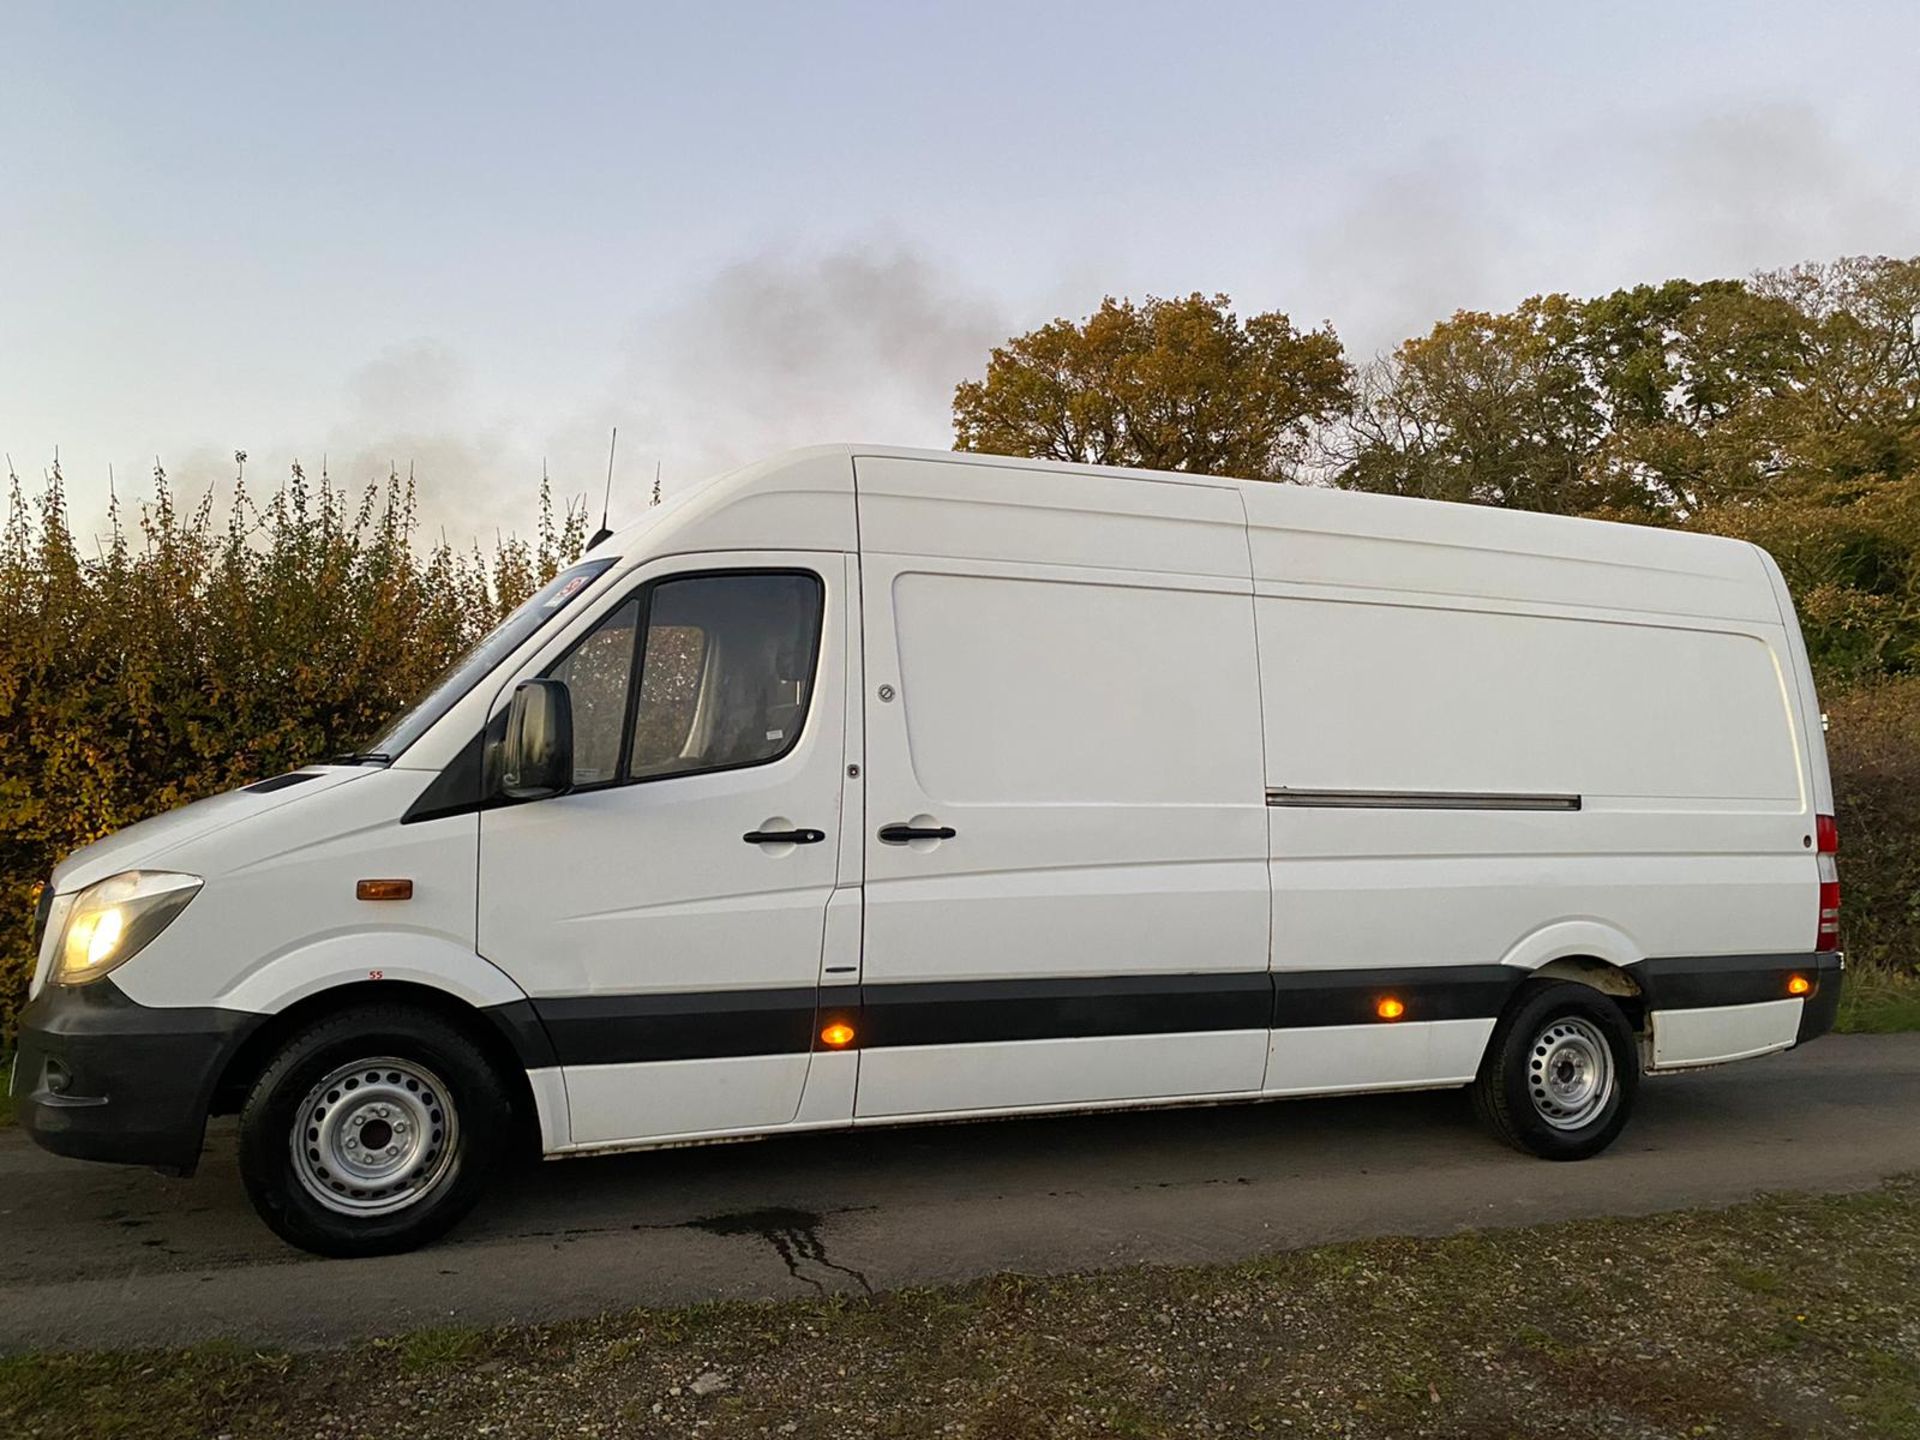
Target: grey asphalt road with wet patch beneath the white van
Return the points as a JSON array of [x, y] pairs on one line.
[[103, 1257]]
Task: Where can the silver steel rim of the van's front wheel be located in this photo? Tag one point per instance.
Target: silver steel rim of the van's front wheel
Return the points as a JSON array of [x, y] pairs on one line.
[[375, 1138]]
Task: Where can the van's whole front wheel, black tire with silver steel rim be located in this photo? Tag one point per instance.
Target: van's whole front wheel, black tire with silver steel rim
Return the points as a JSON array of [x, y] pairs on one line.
[[437, 1078]]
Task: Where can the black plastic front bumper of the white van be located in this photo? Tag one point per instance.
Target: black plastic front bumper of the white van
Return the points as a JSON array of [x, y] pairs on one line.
[[105, 1078]]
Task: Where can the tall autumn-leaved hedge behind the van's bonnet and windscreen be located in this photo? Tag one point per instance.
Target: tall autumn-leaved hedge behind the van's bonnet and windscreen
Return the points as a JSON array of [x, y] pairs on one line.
[[195, 654]]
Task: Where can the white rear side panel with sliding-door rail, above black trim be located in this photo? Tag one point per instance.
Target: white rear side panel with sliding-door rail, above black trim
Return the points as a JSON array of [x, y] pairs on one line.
[[1412, 648]]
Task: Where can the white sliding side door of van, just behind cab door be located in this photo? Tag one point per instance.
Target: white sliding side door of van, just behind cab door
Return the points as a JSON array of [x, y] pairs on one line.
[[1026, 652]]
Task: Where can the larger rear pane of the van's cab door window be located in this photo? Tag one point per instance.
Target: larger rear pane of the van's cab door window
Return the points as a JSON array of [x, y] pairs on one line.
[[727, 673]]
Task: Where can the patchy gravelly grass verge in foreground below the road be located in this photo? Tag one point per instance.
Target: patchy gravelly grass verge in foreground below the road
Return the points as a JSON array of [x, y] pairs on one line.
[[1788, 1316]]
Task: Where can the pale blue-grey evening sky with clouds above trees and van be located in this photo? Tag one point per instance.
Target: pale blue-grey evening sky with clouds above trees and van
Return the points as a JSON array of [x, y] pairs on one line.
[[473, 239]]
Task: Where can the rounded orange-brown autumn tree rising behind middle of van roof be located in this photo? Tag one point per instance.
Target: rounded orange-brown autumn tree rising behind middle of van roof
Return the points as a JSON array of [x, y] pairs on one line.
[[1168, 385]]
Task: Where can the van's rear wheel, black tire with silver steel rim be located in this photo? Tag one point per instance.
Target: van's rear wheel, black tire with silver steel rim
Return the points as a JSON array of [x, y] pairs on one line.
[[1537, 1063]]
